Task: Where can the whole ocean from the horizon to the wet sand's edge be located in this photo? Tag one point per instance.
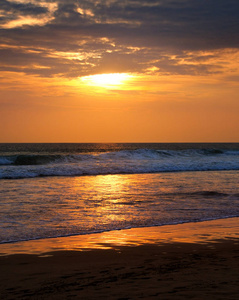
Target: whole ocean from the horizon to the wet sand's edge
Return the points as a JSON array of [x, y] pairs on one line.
[[57, 190]]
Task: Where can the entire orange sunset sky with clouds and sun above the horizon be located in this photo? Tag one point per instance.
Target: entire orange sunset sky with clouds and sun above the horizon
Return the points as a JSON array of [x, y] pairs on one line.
[[119, 71]]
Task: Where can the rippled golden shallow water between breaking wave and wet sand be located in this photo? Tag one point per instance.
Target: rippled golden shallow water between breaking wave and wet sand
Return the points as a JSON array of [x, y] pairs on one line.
[[61, 206]]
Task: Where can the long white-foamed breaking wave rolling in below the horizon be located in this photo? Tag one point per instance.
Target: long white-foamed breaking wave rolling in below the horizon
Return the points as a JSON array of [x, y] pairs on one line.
[[117, 162]]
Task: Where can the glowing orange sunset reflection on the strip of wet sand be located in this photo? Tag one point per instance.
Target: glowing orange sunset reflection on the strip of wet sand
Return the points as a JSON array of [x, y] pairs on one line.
[[201, 232]]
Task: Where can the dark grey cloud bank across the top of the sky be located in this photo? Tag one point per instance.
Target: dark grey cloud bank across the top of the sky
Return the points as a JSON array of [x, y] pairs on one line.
[[120, 36]]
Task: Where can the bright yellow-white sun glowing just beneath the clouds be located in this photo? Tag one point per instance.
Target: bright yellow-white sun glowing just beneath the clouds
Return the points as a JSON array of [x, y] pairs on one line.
[[111, 80]]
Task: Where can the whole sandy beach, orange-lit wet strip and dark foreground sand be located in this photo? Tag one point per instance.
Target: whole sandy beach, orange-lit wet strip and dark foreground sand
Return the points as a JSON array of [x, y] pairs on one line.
[[187, 261]]
